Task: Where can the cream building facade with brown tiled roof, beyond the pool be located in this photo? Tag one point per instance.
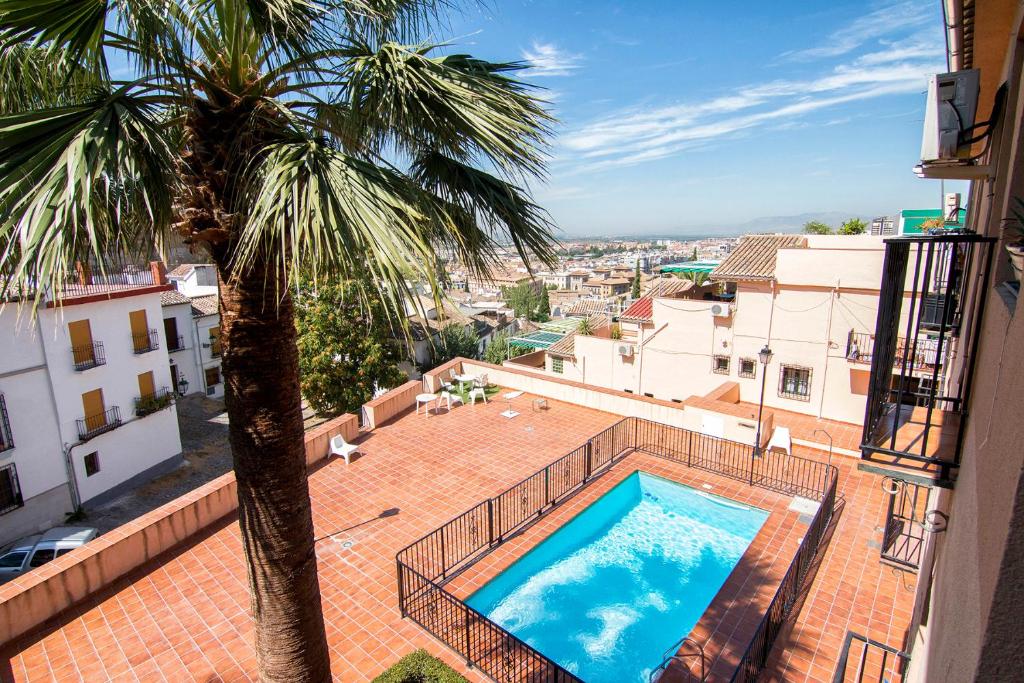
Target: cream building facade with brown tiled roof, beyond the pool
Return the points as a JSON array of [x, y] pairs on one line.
[[813, 300]]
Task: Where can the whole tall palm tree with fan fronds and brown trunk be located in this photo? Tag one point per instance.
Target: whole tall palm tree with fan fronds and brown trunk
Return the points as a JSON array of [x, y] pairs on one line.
[[275, 136]]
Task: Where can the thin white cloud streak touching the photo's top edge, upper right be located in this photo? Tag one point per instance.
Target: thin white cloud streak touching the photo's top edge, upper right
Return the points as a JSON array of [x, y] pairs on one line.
[[901, 18]]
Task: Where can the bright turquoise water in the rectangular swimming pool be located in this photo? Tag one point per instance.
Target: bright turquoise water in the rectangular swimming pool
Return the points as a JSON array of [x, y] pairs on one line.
[[607, 594]]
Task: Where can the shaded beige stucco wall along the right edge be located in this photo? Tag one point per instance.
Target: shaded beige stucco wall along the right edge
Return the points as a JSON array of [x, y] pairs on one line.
[[970, 627]]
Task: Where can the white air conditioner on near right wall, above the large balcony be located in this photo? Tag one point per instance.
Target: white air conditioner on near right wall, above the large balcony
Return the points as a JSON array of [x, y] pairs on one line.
[[953, 104]]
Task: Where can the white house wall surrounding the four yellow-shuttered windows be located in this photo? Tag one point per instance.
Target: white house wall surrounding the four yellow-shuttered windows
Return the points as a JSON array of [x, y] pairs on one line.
[[141, 443]]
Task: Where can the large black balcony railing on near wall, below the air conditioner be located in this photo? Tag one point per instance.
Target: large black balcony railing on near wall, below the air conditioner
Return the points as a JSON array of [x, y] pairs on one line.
[[917, 392]]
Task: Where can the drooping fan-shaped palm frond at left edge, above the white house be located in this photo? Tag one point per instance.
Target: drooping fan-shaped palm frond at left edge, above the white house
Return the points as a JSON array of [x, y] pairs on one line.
[[89, 180]]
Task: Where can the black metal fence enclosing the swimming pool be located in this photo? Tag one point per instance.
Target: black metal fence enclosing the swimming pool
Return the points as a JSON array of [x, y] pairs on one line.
[[425, 566]]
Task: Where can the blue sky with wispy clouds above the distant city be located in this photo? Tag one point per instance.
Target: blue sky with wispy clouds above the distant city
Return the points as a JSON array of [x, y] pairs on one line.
[[687, 116]]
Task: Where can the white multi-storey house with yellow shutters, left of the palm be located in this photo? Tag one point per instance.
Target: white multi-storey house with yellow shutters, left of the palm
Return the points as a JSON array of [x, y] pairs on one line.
[[88, 399]]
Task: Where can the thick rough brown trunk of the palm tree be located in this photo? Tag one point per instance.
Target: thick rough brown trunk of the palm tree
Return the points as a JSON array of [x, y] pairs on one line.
[[262, 375]]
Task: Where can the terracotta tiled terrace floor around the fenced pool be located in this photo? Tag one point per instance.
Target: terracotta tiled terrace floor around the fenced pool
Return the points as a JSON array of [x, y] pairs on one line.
[[186, 616]]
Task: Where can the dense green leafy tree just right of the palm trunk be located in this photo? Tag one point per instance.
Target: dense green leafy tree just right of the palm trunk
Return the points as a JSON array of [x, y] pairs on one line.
[[346, 350]]
